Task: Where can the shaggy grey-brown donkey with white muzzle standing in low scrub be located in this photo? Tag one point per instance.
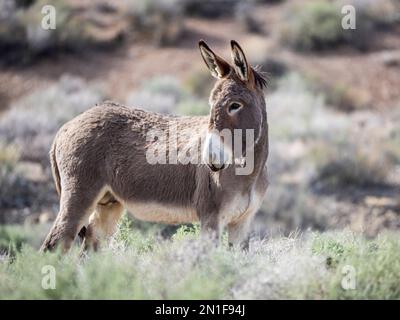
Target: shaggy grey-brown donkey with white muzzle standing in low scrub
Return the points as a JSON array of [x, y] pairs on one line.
[[100, 167]]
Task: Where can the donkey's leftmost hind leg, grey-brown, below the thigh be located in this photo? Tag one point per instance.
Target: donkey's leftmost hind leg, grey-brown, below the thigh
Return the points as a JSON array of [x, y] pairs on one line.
[[75, 208]]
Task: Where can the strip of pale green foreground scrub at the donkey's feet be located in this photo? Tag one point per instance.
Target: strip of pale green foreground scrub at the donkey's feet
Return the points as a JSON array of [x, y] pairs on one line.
[[142, 265]]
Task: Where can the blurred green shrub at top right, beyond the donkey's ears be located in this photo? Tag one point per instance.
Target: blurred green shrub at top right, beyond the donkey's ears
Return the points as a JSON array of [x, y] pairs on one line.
[[317, 25]]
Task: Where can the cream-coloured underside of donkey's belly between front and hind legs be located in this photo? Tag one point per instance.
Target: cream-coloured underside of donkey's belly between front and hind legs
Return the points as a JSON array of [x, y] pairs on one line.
[[163, 213]]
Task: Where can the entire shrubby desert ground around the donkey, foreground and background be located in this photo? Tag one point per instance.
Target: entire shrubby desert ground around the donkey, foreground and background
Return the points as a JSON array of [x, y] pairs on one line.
[[334, 116]]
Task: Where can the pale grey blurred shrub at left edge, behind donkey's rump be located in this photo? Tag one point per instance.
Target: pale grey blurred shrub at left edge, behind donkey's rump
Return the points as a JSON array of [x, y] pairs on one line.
[[32, 122]]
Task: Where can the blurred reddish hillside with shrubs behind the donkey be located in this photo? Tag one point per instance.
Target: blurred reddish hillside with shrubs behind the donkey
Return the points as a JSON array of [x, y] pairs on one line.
[[333, 98]]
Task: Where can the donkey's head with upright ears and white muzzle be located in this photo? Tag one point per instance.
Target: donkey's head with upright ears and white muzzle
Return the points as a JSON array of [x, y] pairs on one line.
[[237, 108]]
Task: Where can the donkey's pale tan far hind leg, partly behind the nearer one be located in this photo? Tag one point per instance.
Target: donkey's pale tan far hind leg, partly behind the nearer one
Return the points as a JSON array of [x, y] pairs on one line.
[[102, 222]]
